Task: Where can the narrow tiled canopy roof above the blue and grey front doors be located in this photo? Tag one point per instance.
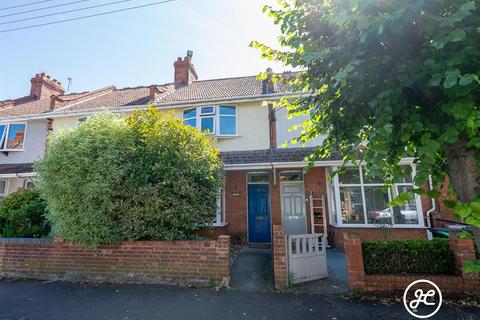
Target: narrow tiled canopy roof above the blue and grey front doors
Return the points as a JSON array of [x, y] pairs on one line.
[[269, 155]]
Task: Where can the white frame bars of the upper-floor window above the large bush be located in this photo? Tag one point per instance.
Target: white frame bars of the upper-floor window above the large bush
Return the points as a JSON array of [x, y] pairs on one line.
[[215, 114]]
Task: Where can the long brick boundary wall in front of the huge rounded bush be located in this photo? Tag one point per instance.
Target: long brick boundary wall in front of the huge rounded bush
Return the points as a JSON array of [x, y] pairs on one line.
[[193, 262]]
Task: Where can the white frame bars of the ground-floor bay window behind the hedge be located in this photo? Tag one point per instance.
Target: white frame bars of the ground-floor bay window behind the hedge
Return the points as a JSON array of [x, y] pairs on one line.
[[335, 185]]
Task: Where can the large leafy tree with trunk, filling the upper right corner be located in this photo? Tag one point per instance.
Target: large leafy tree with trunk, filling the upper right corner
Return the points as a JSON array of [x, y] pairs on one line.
[[385, 80]]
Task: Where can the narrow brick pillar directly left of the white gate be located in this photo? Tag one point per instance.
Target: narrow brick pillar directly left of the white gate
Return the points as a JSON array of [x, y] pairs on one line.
[[279, 258]]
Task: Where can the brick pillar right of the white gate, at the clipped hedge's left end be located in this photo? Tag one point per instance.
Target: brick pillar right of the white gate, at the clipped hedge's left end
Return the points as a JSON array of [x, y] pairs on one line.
[[354, 257]]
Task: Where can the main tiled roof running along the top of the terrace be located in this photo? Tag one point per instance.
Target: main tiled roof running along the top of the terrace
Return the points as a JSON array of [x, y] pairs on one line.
[[111, 97]]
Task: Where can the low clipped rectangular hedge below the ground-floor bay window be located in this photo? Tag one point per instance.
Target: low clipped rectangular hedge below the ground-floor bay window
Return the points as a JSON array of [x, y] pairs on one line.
[[408, 256]]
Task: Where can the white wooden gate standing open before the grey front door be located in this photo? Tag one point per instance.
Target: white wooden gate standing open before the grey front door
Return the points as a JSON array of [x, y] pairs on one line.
[[307, 257]]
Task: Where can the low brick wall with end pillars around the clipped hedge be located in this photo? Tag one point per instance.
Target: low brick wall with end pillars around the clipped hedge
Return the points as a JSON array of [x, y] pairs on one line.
[[459, 283]]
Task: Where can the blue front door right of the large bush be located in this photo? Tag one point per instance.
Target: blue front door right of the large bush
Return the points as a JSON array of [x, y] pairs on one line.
[[259, 229]]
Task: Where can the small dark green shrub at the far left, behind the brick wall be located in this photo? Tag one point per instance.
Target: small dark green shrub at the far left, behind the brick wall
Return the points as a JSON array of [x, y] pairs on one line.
[[22, 215]]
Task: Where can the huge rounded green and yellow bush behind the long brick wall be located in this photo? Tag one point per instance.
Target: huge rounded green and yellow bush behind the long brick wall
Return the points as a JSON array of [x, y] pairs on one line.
[[144, 177]]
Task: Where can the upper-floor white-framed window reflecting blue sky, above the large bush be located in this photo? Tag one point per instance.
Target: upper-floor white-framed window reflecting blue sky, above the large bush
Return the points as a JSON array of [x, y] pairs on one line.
[[216, 120]]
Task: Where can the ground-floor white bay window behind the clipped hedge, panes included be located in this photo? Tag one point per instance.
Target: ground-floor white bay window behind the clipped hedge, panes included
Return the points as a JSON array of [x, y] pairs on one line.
[[361, 201]]
